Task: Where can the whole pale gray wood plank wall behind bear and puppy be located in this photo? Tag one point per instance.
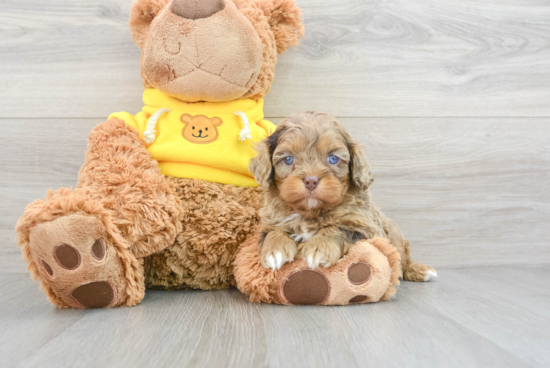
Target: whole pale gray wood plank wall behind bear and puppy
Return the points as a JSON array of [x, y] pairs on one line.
[[450, 97]]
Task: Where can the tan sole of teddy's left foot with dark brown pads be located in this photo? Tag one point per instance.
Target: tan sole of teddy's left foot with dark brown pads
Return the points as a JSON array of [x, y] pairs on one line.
[[77, 262]]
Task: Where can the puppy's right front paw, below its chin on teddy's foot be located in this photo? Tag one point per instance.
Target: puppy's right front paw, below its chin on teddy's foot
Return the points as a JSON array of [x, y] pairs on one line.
[[324, 248]]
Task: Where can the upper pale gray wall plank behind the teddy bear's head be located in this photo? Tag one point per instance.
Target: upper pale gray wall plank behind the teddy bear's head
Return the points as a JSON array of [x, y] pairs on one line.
[[65, 58]]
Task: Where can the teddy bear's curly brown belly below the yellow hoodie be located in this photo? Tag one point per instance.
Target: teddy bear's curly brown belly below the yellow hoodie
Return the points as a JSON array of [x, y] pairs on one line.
[[217, 220]]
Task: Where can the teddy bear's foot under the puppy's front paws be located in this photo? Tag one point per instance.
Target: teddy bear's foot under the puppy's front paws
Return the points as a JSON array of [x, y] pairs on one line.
[[367, 274]]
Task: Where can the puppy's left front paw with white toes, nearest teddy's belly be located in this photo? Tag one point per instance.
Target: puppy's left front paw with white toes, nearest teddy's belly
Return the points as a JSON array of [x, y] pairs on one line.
[[277, 249]]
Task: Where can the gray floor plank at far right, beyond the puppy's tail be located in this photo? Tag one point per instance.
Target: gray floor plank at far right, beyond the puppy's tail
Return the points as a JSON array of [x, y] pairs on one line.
[[516, 318]]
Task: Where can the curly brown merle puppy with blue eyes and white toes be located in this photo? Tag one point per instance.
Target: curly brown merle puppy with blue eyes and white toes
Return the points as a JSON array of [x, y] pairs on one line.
[[317, 202]]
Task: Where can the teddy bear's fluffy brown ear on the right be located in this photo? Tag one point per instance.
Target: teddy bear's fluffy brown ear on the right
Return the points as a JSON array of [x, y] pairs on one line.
[[285, 19]]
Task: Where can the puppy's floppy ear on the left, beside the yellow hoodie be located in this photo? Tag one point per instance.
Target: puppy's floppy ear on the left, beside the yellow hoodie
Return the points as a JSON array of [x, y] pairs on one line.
[[262, 165]]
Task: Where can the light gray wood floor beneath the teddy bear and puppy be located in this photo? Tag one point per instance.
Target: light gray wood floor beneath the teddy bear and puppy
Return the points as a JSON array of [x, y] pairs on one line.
[[464, 319]]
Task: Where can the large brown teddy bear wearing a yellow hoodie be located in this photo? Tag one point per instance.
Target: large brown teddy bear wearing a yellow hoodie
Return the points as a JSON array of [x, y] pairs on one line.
[[165, 199]]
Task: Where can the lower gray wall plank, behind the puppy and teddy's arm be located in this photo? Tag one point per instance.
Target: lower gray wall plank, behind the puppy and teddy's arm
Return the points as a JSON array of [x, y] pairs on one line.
[[465, 191]]
